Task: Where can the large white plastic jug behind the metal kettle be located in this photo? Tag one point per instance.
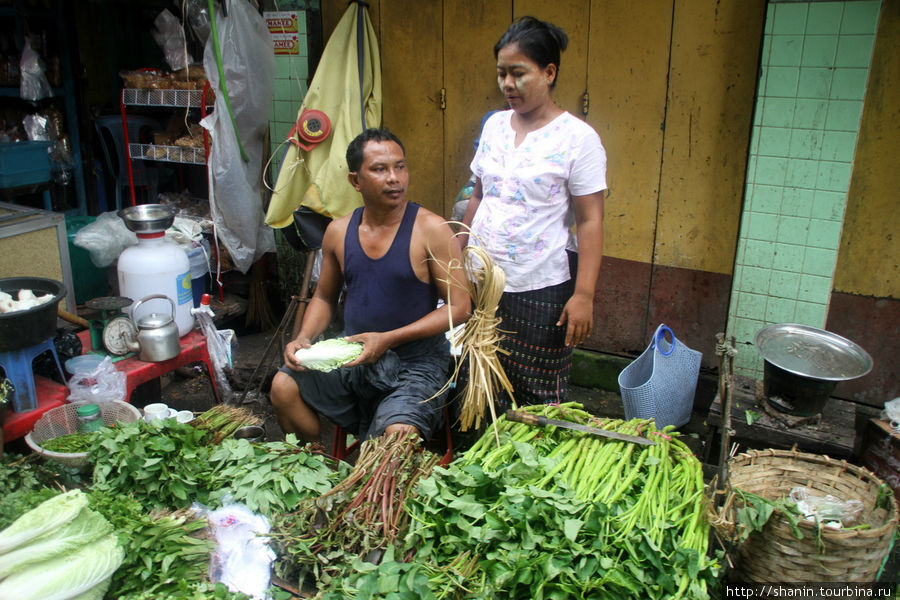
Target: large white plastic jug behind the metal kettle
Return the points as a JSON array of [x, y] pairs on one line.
[[157, 266]]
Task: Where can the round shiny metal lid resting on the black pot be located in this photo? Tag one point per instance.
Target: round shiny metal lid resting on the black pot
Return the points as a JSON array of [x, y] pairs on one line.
[[812, 352]]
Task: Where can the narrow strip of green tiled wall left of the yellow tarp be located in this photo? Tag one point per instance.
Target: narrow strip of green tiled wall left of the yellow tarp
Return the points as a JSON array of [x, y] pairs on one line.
[[291, 84]]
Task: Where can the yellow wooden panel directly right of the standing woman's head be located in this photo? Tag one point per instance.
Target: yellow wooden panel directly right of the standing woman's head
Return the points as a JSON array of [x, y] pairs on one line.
[[629, 54]]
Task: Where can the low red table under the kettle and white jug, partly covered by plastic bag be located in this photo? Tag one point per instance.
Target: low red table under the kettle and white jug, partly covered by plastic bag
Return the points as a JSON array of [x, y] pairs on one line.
[[51, 394]]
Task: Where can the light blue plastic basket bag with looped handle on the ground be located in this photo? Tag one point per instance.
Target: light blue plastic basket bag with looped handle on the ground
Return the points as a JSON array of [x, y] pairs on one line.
[[660, 383]]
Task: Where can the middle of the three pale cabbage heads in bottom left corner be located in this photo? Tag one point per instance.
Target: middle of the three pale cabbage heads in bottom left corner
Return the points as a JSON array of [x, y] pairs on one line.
[[83, 529]]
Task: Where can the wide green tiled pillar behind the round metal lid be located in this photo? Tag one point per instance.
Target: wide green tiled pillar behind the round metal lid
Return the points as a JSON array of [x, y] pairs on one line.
[[814, 66]]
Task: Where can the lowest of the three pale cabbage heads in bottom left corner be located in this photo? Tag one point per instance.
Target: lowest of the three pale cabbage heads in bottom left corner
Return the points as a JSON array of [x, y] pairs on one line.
[[66, 576]]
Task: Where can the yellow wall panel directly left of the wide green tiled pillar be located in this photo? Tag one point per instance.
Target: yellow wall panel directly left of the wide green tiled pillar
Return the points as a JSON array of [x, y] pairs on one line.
[[712, 85]]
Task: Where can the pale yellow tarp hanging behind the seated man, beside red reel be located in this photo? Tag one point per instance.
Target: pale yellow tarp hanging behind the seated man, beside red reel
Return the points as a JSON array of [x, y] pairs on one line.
[[346, 87]]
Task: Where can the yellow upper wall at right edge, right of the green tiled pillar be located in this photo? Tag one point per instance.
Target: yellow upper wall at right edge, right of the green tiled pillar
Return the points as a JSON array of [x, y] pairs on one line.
[[869, 256]]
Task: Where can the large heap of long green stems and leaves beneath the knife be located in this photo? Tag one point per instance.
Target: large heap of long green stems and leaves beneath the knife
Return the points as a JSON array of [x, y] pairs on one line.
[[552, 514]]
